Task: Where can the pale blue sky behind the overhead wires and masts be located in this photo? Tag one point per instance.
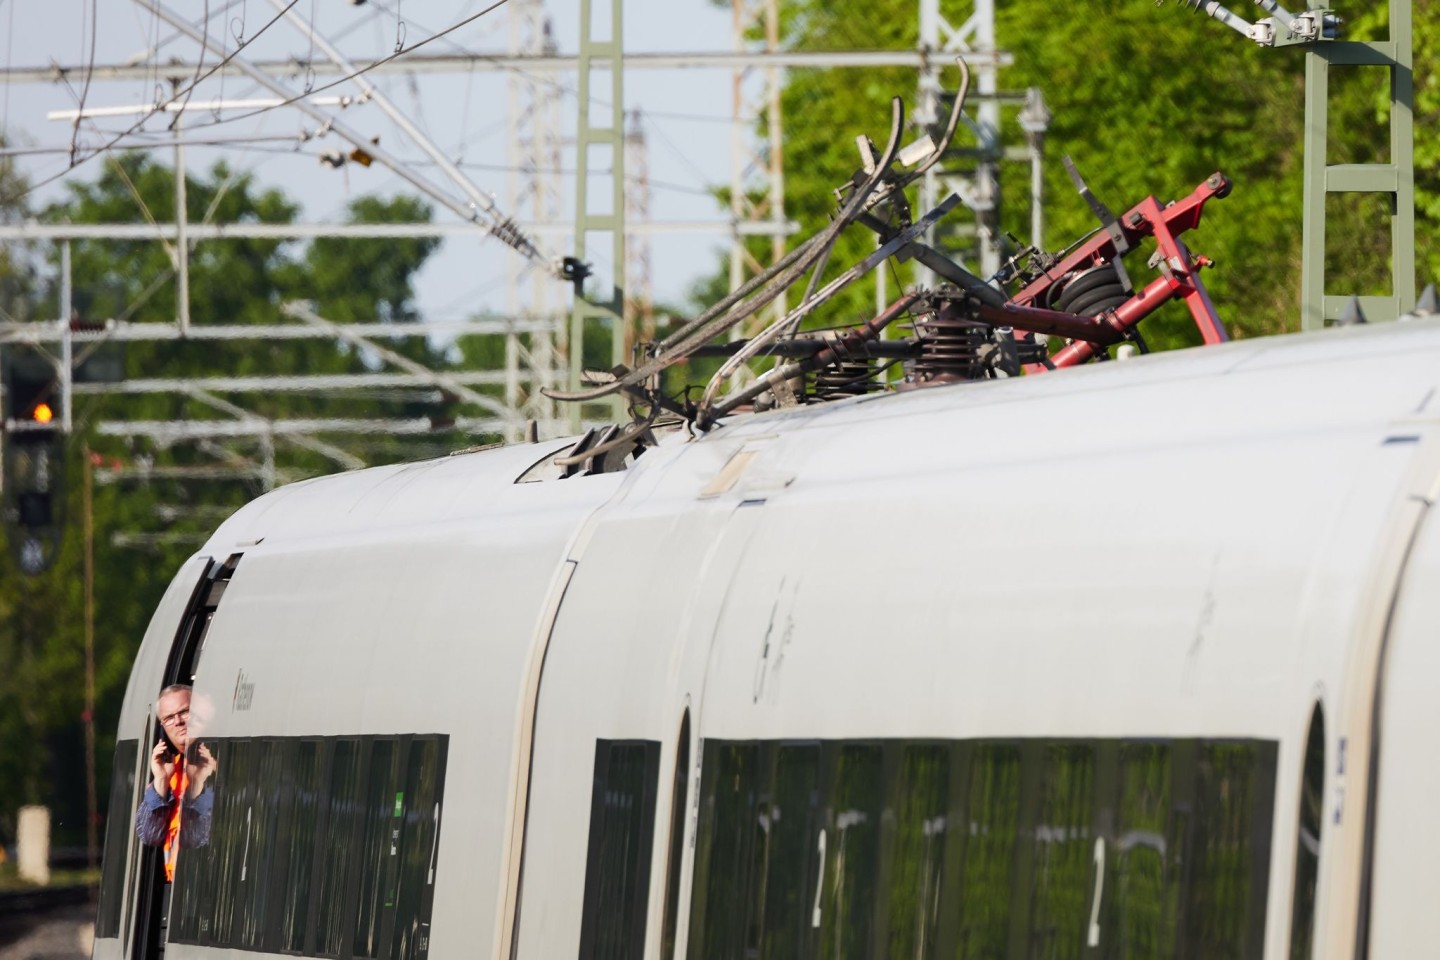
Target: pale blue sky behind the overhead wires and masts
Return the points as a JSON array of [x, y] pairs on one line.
[[688, 116]]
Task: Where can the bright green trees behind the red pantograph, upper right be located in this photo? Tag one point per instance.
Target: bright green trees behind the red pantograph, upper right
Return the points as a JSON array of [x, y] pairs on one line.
[[1147, 101]]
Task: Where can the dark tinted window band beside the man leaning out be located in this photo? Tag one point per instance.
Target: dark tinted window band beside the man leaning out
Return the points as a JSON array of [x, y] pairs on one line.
[[323, 847]]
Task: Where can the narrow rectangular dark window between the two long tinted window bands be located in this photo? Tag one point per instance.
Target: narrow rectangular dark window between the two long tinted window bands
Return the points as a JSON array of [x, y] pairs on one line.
[[617, 871]]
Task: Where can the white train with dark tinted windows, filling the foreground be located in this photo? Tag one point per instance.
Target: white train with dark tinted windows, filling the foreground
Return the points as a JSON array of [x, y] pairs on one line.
[[1130, 661]]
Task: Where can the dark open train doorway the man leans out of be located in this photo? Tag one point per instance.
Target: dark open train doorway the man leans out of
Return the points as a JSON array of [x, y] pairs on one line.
[[152, 892]]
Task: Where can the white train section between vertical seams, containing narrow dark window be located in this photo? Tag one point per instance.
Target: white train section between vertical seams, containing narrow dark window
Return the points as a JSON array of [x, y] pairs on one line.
[[606, 863]]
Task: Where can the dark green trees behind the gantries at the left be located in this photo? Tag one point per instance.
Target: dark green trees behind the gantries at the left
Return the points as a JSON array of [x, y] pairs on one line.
[[234, 283]]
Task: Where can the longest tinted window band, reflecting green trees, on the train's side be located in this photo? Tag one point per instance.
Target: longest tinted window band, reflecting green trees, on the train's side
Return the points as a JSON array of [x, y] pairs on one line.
[[983, 850]]
